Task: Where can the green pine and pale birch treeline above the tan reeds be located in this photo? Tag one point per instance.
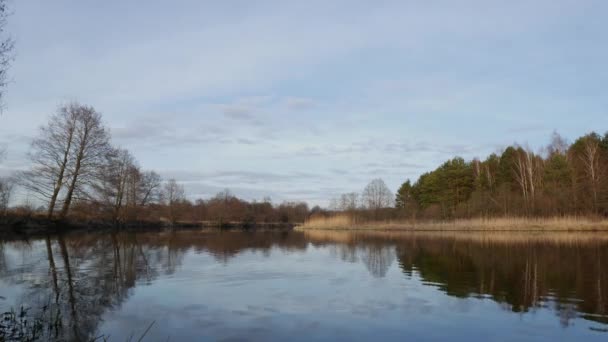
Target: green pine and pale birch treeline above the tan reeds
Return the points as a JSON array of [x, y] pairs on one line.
[[562, 179]]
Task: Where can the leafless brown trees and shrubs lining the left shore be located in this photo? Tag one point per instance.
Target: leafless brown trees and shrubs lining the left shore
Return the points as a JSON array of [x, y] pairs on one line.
[[77, 173]]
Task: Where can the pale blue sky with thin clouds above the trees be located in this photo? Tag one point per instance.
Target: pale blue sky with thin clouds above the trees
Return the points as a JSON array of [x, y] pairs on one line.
[[304, 100]]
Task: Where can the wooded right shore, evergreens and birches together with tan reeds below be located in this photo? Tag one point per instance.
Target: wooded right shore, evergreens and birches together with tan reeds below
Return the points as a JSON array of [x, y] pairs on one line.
[[562, 187]]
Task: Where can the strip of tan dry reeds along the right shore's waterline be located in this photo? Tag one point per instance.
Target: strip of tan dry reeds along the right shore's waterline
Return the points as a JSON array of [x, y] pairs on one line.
[[345, 222]]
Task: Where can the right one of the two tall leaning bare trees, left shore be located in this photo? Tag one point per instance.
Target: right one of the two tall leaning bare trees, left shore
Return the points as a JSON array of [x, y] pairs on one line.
[[89, 153]]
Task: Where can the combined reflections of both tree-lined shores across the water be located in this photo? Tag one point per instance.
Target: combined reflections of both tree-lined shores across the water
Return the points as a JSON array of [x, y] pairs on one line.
[[70, 282]]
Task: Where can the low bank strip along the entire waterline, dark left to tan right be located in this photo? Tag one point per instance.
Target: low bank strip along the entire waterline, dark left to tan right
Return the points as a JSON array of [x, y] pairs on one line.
[[36, 226]]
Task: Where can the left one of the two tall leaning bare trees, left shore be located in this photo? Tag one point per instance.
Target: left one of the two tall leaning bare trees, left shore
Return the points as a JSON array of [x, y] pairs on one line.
[[50, 157]]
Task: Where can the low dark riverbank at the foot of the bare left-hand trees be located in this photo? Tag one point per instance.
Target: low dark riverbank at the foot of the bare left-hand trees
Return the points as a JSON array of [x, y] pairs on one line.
[[19, 226]]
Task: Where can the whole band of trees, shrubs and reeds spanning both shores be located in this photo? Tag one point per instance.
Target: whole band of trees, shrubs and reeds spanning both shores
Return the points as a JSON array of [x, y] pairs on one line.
[[77, 174]]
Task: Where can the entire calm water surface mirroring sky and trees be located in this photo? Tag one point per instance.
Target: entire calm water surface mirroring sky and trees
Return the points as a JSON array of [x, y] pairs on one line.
[[309, 286]]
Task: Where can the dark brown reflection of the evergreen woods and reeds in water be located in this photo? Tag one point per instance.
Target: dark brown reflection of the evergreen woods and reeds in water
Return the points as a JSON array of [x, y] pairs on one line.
[[523, 271]]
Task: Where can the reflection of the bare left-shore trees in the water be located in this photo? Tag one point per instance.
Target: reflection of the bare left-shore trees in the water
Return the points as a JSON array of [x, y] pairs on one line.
[[87, 275]]
